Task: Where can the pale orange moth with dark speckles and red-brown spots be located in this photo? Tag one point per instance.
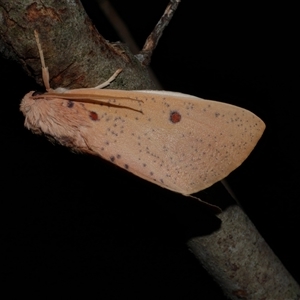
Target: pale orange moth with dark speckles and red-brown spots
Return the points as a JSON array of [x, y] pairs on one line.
[[180, 142]]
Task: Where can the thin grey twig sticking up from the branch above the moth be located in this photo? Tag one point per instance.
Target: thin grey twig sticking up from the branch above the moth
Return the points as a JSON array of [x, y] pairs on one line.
[[152, 40]]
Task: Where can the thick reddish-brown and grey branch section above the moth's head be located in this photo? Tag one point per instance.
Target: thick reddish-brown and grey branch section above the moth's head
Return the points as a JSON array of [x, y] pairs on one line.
[[76, 54]]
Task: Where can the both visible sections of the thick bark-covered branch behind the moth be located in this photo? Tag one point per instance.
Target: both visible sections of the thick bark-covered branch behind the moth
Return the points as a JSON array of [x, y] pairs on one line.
[[78, 56]]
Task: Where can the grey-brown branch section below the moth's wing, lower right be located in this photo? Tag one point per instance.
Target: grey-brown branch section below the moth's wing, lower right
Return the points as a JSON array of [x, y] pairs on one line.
[[241, 261]]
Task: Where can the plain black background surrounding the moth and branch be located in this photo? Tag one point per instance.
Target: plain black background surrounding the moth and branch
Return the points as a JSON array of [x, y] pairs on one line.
[[73, 218]]
